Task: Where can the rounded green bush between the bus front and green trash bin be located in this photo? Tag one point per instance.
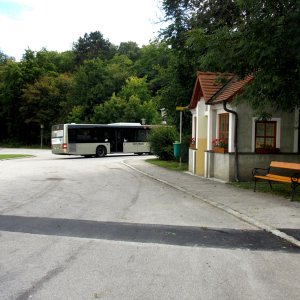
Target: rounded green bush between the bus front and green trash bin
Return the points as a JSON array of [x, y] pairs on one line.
[[162, 139]]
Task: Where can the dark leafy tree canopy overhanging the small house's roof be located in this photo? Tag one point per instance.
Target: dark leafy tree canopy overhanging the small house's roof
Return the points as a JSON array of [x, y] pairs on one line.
[[262, 39]]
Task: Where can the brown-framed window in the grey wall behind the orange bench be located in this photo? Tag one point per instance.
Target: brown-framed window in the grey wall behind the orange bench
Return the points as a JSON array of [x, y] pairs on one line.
[[265, 135]]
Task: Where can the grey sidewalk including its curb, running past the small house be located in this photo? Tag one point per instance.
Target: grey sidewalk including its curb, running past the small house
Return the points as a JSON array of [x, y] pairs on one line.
[[272, 213]]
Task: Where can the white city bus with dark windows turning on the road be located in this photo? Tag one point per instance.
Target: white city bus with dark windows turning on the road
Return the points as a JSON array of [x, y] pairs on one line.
[[99, 139]]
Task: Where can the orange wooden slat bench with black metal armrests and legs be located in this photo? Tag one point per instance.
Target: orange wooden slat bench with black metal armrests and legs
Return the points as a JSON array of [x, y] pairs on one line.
[[270, 175]]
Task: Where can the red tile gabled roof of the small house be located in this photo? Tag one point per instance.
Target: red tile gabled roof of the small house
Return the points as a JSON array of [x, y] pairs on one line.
[[216, 87]]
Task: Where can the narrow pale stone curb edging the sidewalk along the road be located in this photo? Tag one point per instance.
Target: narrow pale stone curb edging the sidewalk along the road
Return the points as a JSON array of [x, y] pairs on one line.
[[250, 220]]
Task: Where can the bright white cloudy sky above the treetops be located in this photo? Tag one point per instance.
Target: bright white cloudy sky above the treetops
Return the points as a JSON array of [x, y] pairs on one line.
[[57, 24]]
